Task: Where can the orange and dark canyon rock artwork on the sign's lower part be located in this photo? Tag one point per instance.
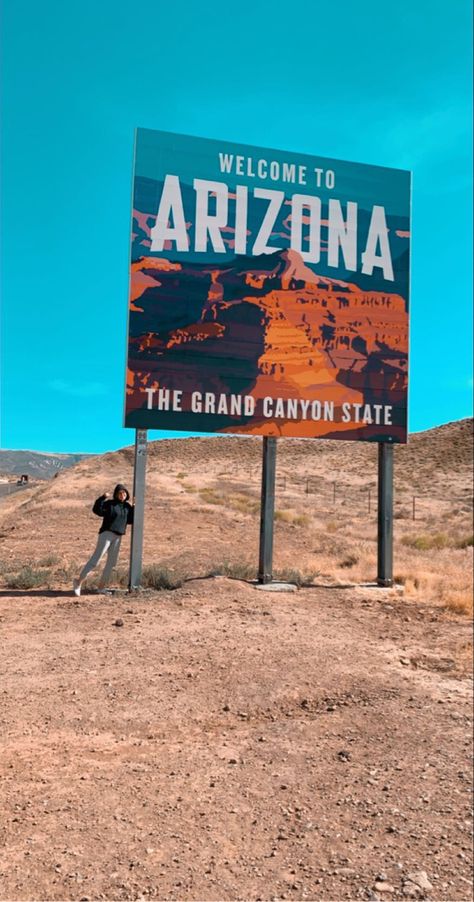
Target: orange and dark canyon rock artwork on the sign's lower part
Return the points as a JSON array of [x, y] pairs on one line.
[[265, 346]]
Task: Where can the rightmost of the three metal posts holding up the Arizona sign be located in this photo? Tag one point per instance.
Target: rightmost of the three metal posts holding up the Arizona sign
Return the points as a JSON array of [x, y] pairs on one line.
[[385, 516]]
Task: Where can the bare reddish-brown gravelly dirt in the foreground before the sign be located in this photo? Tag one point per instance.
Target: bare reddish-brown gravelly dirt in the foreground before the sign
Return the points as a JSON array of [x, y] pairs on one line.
[[223, 742]]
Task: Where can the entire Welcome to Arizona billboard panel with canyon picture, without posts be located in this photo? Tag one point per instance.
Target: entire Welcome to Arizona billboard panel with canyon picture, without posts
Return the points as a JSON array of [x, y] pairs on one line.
[[268, 292]]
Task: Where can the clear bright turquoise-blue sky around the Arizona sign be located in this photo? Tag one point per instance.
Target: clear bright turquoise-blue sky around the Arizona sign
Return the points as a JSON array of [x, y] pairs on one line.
[[369, 82]]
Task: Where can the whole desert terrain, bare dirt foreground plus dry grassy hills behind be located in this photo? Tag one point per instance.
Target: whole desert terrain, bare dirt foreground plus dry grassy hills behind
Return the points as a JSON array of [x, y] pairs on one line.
[[204, 739]]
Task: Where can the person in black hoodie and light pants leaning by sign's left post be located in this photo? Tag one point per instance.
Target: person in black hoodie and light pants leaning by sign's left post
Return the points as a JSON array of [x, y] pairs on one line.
[[117, 513]]
